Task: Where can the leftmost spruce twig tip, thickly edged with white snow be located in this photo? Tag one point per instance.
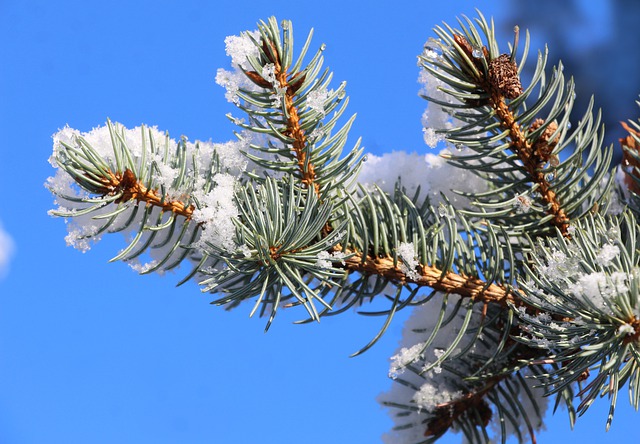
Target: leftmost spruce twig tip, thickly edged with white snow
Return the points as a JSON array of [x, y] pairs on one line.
[[140, 181]]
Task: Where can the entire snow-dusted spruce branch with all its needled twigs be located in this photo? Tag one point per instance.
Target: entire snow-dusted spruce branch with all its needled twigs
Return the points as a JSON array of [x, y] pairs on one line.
[[529, 293]]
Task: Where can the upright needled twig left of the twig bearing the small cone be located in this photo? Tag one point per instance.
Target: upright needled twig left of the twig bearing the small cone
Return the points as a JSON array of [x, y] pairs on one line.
[[290, 105]]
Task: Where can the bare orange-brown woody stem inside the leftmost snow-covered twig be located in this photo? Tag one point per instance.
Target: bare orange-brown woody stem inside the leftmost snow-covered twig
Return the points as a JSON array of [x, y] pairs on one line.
[[131, 188]]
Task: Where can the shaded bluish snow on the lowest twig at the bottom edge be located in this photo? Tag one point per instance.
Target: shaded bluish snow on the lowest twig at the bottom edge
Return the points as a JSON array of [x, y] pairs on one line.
[[422, 392]]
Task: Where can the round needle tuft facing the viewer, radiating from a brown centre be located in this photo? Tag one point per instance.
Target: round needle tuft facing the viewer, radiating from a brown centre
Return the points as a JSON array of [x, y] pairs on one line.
[[283, 256]]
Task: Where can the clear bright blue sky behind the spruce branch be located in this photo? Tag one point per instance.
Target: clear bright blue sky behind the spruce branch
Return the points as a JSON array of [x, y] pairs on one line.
[[90, 352]]
